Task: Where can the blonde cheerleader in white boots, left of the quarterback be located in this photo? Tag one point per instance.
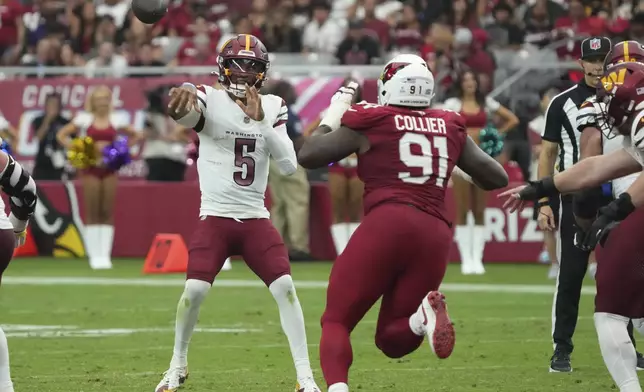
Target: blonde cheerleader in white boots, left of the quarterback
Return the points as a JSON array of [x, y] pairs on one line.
[[99, 183]]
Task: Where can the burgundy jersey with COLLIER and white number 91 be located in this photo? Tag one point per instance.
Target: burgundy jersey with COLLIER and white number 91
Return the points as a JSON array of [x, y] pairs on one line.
[[411, 157]]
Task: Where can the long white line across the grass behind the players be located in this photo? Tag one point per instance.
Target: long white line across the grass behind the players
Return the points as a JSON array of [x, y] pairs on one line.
[[301, 284]]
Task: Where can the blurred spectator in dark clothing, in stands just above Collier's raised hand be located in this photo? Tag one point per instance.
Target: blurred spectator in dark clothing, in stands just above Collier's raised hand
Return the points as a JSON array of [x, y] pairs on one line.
[[357, 47]]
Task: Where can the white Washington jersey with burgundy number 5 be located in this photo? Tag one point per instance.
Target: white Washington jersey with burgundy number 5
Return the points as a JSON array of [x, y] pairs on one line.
[[234, 155]]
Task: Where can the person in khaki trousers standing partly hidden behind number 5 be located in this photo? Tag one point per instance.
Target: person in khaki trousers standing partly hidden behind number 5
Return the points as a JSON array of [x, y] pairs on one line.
[[290, 194]]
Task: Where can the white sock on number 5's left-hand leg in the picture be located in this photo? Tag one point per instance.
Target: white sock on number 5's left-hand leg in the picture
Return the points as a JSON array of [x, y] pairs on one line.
[[187, 315]]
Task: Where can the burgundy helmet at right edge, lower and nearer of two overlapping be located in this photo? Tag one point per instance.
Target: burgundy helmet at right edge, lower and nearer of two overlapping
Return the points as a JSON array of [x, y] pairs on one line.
[[620, 93]]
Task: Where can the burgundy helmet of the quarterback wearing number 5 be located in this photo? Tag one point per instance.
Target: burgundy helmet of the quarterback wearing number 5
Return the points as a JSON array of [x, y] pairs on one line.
[[242, 60]]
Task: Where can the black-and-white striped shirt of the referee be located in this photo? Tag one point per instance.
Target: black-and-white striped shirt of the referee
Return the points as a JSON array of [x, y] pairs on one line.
[[561, 123]]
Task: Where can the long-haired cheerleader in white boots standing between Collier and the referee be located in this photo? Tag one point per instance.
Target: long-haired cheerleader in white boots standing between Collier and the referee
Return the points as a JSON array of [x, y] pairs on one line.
[[477, 110]]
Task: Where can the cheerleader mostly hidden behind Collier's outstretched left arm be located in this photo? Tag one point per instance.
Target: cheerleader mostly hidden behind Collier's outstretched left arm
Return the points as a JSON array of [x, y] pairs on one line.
[[346, 191]]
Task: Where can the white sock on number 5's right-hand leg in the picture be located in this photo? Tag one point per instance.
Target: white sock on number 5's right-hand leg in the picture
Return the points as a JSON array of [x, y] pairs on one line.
[[292, 320]]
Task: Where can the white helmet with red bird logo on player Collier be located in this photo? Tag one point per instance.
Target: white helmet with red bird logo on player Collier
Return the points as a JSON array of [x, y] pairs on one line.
[[414, 87]]
